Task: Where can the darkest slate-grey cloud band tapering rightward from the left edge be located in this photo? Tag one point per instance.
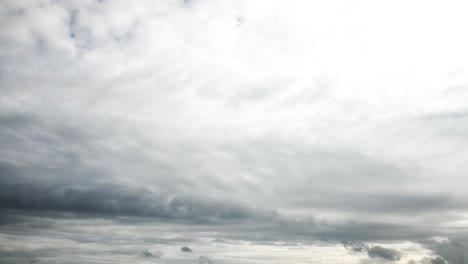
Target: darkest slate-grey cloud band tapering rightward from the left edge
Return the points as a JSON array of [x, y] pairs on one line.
[[119, 200]]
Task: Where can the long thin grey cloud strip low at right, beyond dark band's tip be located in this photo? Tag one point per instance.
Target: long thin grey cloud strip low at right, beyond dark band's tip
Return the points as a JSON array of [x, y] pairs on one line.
[[287, 228]]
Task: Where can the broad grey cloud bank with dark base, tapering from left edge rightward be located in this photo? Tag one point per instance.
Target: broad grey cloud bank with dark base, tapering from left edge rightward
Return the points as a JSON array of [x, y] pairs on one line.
[[70, 162]]
